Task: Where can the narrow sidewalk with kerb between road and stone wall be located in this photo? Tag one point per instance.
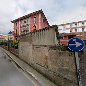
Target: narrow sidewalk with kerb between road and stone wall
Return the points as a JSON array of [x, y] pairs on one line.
[[40, 78]]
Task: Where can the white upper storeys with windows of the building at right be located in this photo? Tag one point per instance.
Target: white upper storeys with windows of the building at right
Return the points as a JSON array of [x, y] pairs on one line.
[[73, 27]]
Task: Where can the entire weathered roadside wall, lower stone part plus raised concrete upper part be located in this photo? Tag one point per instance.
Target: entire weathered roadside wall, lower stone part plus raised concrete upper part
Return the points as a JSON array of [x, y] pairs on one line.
[[40, 52]]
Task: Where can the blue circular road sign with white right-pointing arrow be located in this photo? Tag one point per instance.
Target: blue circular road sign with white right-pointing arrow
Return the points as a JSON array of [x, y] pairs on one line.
[[76, 44]]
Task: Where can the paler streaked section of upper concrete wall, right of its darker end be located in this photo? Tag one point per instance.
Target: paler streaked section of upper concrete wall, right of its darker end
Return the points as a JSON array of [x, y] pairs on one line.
[[44, 37]]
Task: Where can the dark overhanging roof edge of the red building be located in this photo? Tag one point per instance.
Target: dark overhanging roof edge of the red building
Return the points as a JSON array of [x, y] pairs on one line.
[[28, 15]]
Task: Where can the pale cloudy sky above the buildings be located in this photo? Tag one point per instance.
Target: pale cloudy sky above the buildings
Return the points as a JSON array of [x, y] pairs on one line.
[[56, 11]]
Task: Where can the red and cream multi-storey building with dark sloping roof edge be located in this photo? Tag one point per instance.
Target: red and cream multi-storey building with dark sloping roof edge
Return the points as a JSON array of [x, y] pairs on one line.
[[29, 23]]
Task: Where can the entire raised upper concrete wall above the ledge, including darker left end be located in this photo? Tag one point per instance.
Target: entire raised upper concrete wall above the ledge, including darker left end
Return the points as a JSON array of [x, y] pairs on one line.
[[42, 37]]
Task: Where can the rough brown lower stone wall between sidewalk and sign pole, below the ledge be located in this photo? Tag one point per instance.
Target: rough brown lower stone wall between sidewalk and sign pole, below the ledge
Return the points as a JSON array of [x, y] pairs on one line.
[[59, 66]]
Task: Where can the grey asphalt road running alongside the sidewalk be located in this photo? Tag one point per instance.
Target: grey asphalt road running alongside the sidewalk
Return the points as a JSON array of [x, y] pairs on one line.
[[10, 75]]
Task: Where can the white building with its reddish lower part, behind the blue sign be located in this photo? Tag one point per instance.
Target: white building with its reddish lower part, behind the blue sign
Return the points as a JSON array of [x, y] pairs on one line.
[[70, 30]]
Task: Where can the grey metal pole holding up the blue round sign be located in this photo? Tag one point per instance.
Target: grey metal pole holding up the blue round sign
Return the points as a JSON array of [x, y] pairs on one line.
[[78, 69]]
